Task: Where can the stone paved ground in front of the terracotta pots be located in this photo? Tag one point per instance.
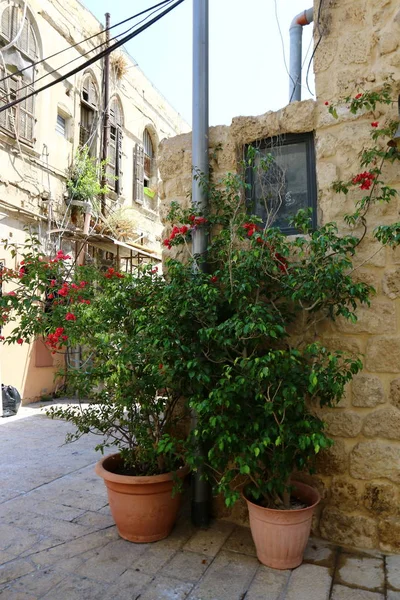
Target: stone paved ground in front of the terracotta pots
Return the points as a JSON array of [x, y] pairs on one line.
[[58, 541]]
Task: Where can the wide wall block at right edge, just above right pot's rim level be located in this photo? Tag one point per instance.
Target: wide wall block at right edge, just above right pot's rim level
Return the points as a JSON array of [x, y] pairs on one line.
[[374, 459]]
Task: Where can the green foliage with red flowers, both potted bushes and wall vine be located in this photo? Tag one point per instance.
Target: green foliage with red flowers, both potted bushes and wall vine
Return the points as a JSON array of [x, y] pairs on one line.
[[238, 339]]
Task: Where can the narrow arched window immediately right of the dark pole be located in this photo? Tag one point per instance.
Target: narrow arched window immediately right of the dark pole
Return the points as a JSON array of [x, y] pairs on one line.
[[114, 162]]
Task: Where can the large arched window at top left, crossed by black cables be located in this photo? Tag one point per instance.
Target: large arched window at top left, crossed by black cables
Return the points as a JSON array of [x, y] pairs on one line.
[[19, 120]]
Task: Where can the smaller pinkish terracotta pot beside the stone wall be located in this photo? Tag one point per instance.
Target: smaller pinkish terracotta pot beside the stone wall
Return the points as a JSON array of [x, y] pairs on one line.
[[280, 536]]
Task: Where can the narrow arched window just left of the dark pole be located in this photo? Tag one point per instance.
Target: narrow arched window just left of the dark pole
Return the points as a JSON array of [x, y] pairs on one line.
[[89, 109]]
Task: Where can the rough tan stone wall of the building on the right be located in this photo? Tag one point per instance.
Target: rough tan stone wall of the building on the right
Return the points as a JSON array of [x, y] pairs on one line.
[[359, 477]]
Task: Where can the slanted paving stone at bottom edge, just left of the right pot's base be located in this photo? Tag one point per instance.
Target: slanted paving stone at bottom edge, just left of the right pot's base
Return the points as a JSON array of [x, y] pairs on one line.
[[228, 577]]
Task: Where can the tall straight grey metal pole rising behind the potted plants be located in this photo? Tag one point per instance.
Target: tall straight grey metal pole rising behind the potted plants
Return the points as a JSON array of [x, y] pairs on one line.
[[201, 493]]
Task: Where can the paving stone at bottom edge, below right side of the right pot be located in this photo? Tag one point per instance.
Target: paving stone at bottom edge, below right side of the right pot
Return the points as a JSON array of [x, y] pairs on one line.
[[309, 582]]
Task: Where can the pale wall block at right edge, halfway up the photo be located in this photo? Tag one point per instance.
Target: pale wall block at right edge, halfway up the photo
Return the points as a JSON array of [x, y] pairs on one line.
[[379, 318]]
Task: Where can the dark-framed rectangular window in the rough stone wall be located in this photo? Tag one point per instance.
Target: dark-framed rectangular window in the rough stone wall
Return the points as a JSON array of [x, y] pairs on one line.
[[283, 180]]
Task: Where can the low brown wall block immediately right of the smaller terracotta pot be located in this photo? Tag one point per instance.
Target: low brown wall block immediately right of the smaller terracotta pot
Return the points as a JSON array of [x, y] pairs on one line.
[[357, 530]]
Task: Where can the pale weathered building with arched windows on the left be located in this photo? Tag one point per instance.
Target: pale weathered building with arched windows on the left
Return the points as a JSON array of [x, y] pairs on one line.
[[39, 139]]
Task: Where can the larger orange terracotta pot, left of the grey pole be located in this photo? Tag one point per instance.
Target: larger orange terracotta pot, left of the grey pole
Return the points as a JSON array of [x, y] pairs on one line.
[[142, 507]]
